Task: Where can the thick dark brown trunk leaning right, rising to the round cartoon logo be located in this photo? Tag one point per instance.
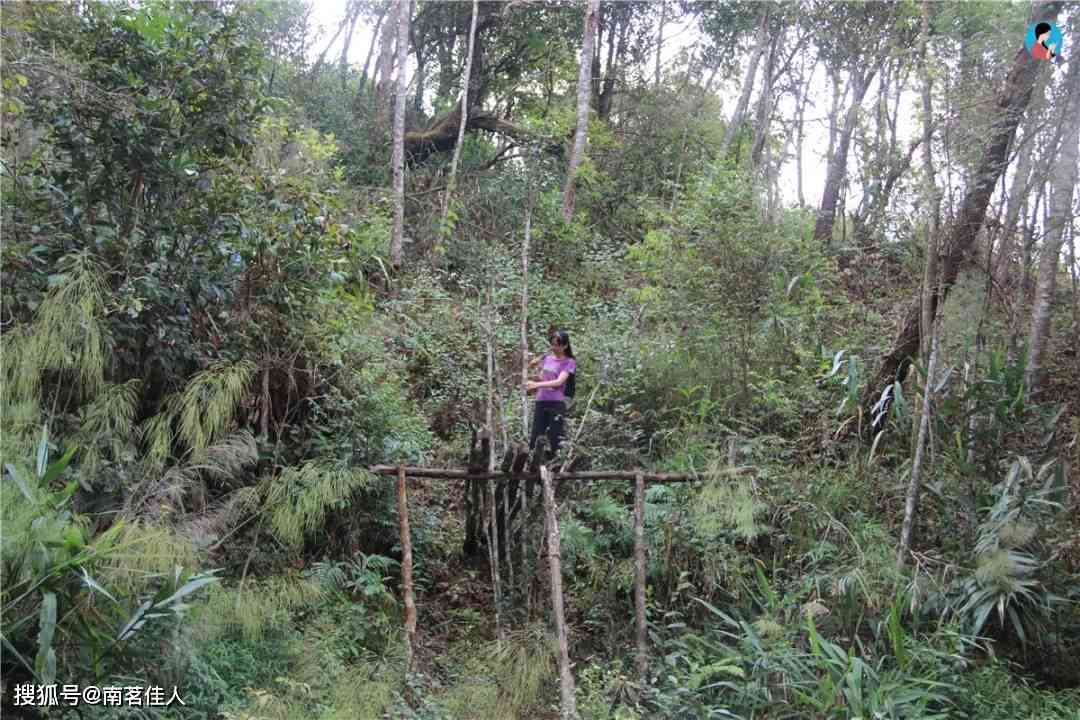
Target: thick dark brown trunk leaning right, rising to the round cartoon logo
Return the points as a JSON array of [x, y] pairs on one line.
[[1010, 103]]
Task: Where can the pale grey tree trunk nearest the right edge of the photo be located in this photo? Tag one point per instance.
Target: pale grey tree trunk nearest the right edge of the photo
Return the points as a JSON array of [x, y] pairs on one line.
[[1060, 215]]
